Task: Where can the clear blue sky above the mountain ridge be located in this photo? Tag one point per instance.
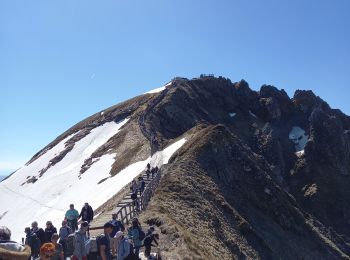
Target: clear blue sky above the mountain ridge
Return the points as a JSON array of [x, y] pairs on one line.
[[61, 61]]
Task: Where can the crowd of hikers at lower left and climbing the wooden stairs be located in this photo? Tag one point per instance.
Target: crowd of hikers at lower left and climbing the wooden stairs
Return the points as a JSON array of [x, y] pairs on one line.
[[75, 243]]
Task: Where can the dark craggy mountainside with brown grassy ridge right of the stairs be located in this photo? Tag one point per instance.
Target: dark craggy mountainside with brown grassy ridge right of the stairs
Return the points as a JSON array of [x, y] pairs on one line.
[[260, 169]]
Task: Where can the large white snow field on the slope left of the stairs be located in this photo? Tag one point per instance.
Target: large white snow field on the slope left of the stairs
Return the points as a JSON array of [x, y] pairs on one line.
[[49, 197]]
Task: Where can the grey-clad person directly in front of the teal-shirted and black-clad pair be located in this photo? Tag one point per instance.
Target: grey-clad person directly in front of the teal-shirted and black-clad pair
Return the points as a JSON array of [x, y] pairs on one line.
[[81, 242]]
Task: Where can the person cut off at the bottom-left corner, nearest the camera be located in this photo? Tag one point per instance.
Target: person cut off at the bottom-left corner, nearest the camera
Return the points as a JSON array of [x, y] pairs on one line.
[[10, 249]]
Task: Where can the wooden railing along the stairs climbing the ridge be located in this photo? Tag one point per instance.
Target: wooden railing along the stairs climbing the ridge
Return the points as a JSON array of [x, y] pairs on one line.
[[127, 212]]
